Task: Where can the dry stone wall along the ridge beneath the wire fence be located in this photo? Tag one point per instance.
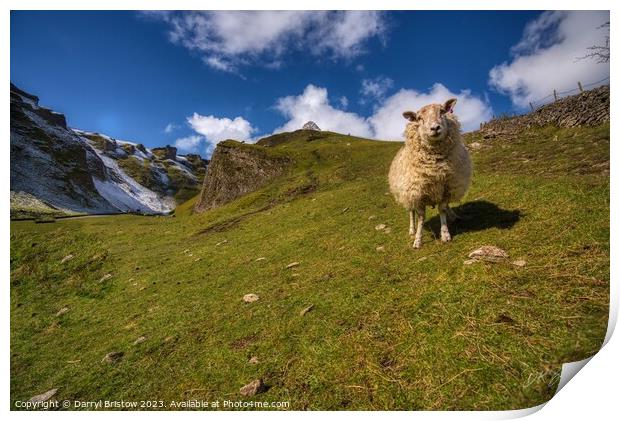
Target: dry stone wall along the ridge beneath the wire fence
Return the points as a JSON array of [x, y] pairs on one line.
[[588, 108]]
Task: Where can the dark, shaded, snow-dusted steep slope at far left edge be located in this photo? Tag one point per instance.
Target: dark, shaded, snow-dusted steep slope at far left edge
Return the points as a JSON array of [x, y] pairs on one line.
[[50, 162]]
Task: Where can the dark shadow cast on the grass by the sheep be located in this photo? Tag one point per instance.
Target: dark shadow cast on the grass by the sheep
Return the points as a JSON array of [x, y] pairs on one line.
[[477, 216]]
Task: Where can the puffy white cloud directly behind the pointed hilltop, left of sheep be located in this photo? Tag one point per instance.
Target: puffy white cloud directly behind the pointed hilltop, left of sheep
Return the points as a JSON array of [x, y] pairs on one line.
[[313, 105]]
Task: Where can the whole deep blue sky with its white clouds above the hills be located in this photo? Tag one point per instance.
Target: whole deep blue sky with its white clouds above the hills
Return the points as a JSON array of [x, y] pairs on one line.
[[207, 76]]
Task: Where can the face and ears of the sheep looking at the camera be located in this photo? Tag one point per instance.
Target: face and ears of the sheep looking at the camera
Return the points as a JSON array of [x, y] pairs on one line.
[[431, 121]]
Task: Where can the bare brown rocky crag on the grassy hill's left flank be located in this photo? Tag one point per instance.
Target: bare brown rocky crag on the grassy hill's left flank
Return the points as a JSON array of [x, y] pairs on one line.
[[236, 169]]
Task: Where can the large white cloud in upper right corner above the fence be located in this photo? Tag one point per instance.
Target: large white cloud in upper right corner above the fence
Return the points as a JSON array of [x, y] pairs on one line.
[[546, 58]]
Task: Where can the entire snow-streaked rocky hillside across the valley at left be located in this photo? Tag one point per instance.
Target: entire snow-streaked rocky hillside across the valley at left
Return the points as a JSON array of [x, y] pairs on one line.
[[59, 170]]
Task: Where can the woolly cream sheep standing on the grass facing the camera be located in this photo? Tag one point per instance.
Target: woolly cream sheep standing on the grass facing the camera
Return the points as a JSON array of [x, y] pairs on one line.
[[432, 168]]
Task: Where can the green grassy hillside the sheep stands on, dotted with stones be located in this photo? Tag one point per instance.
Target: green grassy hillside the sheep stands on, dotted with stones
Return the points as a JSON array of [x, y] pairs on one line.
[[392, 329]]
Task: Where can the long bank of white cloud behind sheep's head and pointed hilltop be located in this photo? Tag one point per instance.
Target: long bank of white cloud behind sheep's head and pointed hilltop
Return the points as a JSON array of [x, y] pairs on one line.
[[386, 122]]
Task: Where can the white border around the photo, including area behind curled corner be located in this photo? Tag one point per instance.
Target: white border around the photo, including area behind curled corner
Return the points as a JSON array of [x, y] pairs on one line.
[[590, 394]]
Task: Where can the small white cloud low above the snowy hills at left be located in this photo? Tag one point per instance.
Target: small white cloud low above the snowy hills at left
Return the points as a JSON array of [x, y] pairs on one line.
[[216, 129]]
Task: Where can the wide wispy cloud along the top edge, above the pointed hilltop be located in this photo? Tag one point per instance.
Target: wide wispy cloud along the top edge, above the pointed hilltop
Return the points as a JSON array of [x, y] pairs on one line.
[[228, 40]]
